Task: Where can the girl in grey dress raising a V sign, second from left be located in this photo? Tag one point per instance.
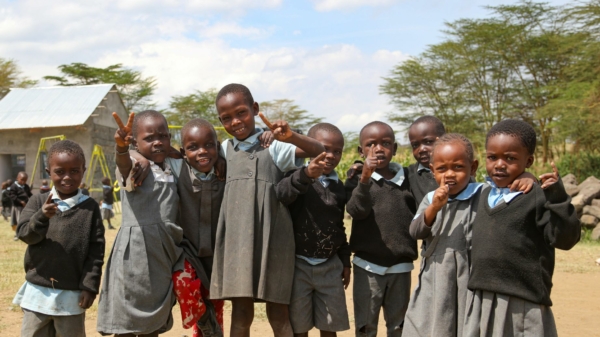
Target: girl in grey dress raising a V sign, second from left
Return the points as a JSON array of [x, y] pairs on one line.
[[137, 290]]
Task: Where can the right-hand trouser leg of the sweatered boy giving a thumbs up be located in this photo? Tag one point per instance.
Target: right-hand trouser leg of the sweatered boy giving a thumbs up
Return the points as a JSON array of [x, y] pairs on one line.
[[395, 302]]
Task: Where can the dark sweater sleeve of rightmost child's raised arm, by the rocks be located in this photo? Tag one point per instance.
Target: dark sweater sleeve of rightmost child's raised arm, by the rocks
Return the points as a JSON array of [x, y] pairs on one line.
[[557, 217]]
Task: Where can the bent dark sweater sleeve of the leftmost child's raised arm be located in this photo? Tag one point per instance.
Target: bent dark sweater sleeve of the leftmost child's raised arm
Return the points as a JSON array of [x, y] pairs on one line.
[[34, 224]]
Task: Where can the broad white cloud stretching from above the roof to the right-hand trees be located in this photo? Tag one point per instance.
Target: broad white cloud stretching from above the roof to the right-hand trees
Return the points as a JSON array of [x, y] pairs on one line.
[[338, 82]]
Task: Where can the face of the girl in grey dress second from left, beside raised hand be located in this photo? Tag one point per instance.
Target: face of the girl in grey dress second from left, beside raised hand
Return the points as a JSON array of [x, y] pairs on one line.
[[153, 139]]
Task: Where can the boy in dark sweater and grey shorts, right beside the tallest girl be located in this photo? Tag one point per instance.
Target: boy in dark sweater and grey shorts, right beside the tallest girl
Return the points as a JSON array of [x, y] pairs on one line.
[[316, 199]]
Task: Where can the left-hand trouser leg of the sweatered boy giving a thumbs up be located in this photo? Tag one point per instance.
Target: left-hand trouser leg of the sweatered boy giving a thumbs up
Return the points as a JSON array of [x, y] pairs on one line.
[[368, 292]]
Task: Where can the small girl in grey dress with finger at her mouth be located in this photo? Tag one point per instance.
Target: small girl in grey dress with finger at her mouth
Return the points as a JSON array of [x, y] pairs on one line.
[[444, 222]]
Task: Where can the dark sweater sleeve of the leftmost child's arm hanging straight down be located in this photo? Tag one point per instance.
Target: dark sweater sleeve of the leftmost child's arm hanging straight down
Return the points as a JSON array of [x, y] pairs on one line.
[[92, 267]]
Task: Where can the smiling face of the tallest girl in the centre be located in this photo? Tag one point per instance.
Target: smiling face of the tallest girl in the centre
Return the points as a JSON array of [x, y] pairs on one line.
[[236, 115]]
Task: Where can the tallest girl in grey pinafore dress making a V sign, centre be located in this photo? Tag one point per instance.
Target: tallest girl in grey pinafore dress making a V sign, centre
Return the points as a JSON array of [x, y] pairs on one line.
[[254, 252]]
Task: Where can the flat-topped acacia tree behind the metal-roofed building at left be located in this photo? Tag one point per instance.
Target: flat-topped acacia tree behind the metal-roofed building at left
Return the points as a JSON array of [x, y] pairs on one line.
[[136, 90]]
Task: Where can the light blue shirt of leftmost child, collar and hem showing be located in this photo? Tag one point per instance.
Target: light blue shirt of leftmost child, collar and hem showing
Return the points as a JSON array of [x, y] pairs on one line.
[[49, 301]]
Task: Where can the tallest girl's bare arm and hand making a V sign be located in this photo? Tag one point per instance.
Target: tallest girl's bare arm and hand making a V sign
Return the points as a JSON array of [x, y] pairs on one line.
[[305, 146]]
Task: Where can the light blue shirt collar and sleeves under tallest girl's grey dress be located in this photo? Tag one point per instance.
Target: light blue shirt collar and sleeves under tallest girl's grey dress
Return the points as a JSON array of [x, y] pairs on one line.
[[283, 154]]
